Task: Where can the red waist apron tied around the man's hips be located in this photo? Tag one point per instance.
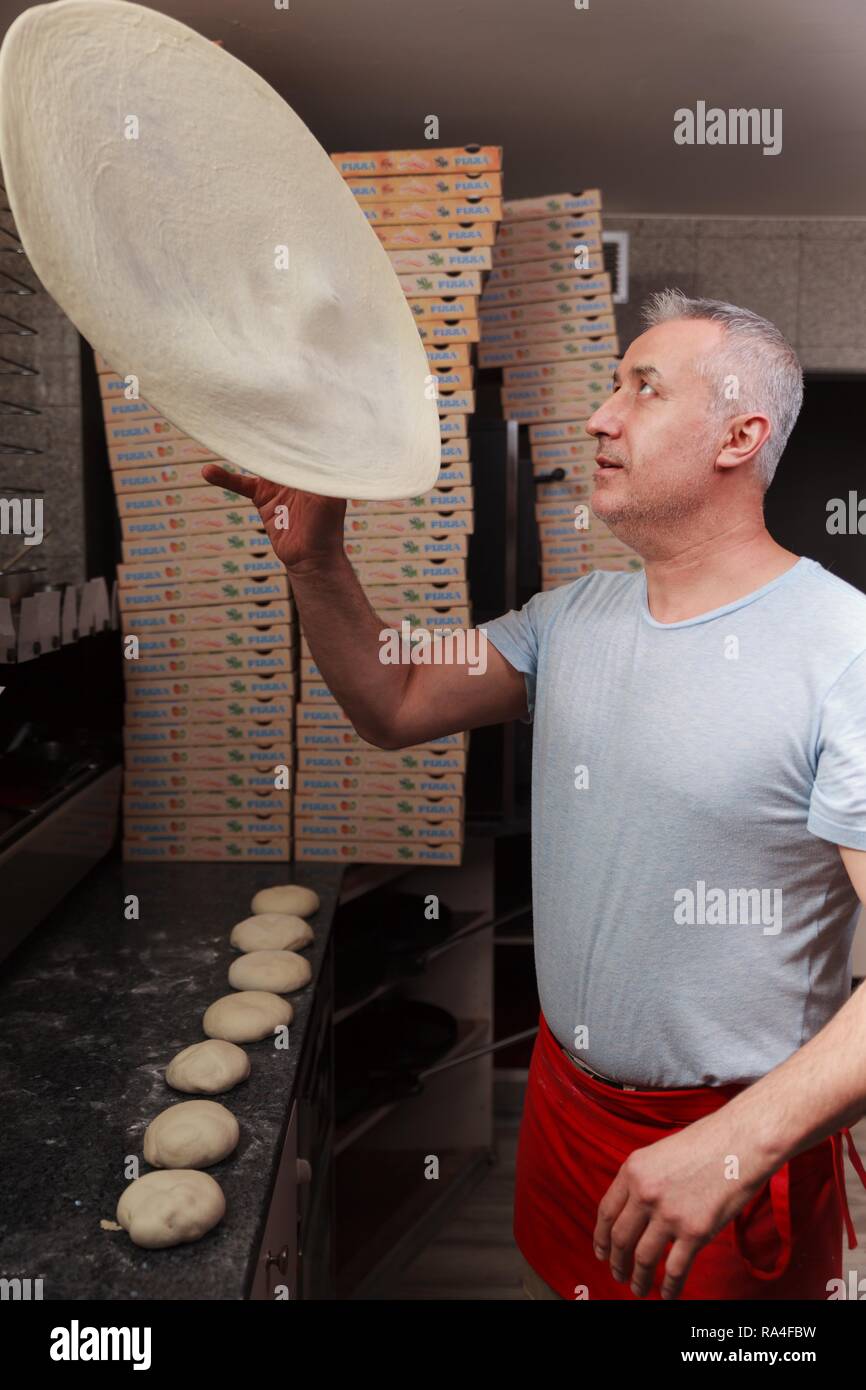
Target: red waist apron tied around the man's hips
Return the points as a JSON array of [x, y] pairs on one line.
[[578, 1132]]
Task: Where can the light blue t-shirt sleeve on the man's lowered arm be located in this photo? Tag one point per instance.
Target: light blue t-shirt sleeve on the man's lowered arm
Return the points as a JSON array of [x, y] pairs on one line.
[[838, 810]]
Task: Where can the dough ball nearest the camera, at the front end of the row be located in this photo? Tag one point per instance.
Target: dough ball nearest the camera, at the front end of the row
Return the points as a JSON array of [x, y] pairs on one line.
[[170, 1209]]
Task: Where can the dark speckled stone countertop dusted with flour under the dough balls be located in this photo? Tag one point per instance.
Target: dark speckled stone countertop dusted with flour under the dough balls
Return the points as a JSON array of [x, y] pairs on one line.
[[92, 1008]]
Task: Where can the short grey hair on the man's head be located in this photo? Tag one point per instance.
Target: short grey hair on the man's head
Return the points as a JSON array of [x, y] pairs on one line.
[[758, 357]]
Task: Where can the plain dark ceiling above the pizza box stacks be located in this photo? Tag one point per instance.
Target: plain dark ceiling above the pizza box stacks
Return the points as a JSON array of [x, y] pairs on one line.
[[578, 98]]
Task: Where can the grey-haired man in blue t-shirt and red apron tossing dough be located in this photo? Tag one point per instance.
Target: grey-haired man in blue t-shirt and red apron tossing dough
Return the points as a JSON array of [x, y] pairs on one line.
[[698, 835]]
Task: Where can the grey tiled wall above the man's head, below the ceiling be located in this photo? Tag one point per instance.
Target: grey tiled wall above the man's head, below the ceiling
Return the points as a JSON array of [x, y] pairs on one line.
[[808, 276]]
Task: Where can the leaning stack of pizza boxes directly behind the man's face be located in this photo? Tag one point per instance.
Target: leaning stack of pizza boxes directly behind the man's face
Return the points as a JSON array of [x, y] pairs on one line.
[[548, 322]]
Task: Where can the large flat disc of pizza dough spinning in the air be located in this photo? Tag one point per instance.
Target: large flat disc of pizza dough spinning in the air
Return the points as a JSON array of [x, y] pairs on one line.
[[163, 251]]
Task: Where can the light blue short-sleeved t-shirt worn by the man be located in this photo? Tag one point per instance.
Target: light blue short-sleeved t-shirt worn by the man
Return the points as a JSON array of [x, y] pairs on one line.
[[692, 783]]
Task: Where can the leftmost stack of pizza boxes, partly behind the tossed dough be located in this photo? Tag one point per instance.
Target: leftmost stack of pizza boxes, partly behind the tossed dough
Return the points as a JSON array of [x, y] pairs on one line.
[[208, 640]]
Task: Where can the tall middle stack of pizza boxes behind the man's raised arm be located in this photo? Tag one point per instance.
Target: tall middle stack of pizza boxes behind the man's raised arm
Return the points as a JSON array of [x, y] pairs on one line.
[[436, 213]]
